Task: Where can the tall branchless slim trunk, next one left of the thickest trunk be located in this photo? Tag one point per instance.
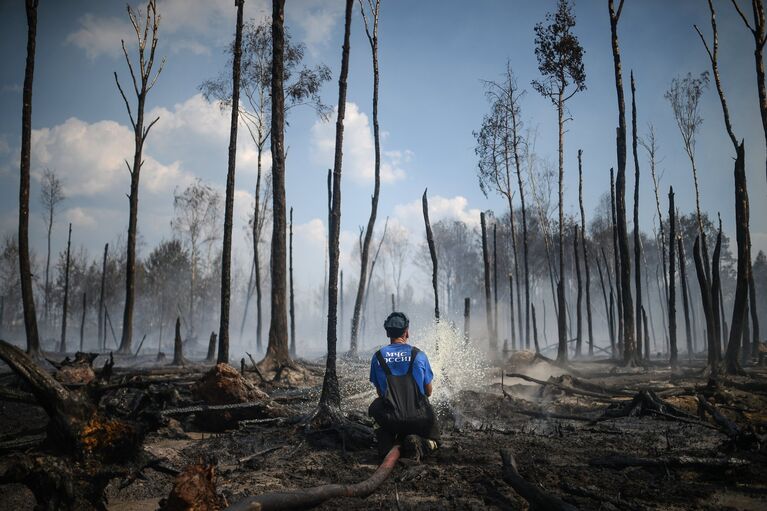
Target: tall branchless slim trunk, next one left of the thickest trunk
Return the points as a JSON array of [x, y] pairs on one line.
[[226, 256]]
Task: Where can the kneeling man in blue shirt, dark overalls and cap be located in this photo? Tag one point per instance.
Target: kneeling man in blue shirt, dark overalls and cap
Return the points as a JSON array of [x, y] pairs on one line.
[[403, 379]]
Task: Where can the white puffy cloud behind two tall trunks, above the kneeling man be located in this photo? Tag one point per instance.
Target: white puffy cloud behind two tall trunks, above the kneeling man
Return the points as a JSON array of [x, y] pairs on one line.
[[359, 156]]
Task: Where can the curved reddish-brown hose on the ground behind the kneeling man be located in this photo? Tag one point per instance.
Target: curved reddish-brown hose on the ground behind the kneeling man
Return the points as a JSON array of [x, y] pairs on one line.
[[310, 497]]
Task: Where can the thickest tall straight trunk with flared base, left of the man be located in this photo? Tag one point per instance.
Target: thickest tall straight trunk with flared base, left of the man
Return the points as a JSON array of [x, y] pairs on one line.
[[277, 351]]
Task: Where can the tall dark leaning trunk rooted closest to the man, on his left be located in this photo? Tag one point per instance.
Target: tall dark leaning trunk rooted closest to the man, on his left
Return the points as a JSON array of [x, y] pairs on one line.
[[330, 399]]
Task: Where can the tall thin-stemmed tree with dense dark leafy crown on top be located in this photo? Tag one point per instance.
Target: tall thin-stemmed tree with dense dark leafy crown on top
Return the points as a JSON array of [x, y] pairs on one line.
[[560, 62]]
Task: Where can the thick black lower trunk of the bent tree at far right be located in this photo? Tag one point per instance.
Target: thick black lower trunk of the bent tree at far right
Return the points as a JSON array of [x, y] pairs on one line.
[[743, 235]]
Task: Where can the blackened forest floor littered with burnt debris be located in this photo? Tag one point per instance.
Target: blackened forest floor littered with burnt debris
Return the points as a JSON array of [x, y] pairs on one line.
[[566, 435]]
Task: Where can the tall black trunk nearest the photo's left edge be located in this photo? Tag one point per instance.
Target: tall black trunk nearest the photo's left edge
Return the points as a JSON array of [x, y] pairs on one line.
[[27, 293]]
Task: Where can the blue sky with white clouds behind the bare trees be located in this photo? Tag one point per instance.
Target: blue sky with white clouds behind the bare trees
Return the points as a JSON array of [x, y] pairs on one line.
[[433, 56]]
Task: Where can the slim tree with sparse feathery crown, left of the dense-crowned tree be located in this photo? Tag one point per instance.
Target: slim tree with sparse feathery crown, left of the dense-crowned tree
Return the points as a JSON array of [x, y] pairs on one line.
[[500, 146]]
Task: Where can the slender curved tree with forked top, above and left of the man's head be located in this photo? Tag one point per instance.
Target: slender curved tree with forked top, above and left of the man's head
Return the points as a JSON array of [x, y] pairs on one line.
[[371, 30]]
